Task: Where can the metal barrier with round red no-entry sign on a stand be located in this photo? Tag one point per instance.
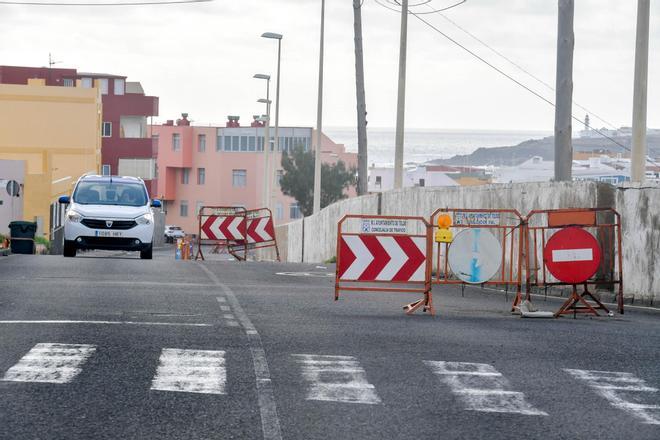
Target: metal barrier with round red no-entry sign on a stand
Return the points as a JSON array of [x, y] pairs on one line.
[[571, 247]]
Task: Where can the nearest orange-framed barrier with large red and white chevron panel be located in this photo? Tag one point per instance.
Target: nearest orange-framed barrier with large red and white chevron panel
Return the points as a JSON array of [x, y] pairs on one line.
[[385, 254]]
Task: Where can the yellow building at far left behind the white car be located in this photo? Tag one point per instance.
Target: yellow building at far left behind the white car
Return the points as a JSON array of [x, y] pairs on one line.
[[57, 132]]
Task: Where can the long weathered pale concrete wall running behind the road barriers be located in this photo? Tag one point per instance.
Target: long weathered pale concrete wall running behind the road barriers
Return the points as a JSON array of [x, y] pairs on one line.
[[639, 208]]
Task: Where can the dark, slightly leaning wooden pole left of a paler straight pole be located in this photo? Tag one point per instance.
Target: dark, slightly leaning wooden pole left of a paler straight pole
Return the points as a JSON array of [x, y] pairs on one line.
[[361, 101]]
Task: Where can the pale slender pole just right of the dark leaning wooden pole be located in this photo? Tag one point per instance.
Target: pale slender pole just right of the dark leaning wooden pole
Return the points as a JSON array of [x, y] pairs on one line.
[[401, 100]]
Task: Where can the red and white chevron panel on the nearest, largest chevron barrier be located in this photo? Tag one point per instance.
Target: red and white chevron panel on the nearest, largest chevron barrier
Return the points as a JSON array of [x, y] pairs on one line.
[[382, 258]]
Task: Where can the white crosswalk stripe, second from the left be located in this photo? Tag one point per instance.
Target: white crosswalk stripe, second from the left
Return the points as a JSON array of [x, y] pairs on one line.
[[191, 371]]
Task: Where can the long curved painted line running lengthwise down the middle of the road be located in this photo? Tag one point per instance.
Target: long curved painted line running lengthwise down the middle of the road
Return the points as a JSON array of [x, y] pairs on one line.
[[270, 422]]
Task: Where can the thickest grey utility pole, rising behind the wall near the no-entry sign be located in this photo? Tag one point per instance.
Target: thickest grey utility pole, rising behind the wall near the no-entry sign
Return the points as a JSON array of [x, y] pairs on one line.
[[564, 92]]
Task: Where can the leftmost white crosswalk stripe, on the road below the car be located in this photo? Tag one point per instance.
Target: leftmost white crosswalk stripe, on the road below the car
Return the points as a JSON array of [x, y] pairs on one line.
[[51, 363]]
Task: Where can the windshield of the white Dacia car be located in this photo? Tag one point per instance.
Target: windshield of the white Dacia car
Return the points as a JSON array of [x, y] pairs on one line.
[[110, 193]]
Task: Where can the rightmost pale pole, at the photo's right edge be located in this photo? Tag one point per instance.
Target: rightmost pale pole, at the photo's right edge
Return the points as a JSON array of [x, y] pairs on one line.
[[638, 160]]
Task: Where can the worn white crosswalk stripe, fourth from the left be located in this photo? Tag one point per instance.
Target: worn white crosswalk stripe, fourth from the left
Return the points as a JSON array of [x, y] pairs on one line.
[[482, 388]]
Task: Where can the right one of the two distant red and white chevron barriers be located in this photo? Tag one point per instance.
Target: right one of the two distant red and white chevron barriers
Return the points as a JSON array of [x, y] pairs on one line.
[[259, 233]]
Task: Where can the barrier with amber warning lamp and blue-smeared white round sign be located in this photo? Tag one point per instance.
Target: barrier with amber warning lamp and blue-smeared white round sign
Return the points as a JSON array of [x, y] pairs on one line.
[[479, 246]]
